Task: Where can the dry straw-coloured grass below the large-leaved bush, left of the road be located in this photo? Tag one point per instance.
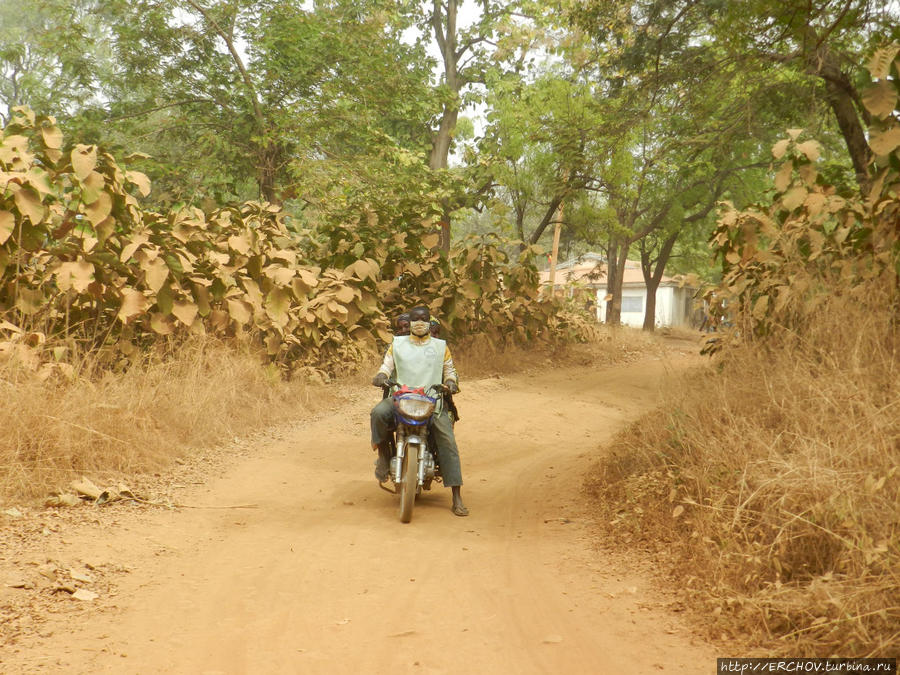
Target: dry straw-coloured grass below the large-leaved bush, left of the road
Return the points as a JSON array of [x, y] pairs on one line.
[[135, 421]]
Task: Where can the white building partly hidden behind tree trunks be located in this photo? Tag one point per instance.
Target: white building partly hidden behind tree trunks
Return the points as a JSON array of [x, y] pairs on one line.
[[674, 300]]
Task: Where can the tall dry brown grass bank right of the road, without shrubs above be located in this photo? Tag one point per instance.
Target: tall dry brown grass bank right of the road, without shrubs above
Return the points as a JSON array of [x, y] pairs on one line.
[[771, 480]]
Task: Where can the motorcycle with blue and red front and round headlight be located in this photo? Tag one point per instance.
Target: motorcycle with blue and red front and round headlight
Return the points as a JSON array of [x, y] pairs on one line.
[[414, 461]]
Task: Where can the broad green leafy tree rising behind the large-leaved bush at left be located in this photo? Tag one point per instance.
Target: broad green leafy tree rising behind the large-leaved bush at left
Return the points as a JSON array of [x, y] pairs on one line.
[[234, 99]]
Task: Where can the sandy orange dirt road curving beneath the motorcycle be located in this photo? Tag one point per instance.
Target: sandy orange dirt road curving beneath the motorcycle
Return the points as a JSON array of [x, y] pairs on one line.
[[323, 578]]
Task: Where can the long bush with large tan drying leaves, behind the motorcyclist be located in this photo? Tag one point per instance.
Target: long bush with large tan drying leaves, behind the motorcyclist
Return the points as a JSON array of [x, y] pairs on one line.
[[82, 263]]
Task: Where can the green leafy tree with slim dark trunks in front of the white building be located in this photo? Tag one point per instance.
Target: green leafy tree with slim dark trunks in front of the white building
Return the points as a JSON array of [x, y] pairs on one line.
[[701, 121]]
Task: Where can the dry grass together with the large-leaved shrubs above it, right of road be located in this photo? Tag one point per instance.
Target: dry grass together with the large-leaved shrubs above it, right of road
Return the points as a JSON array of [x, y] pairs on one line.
[[769, 479]]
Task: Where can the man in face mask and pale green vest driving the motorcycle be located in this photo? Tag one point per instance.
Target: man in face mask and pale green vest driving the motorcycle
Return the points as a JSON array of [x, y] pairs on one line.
[[420, 360]]
